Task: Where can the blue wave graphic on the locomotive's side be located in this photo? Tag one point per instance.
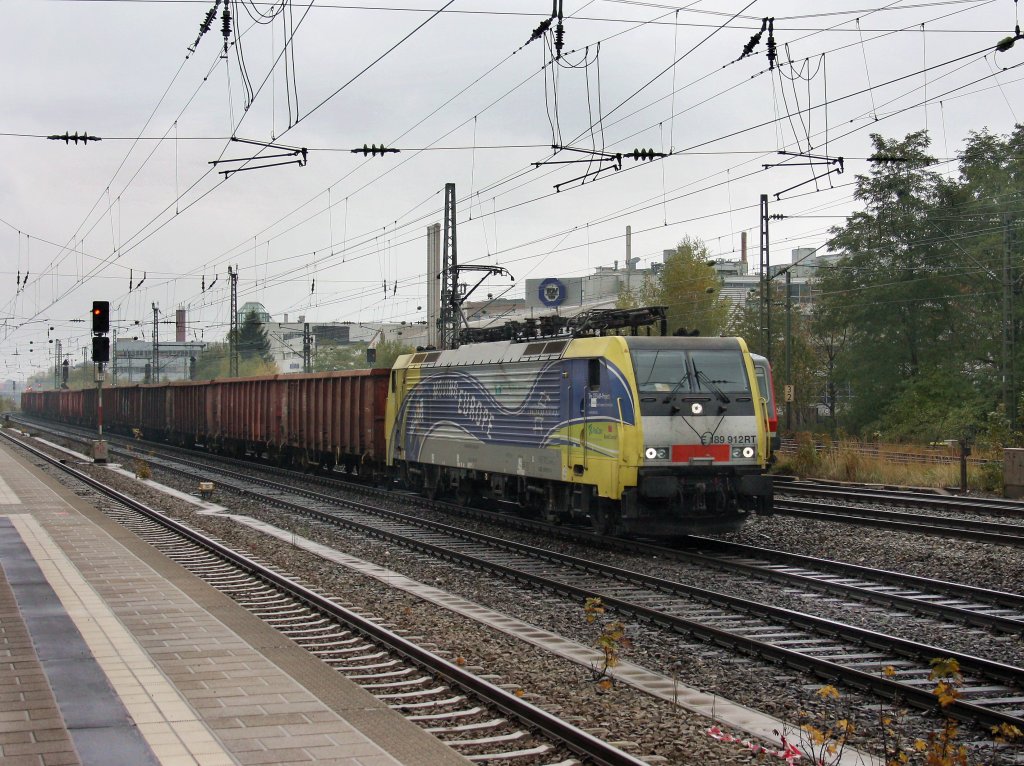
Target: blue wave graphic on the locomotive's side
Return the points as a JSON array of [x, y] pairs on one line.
[[457, 399]]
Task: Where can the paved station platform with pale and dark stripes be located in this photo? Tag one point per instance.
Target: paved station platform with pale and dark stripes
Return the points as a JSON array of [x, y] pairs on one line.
[[112, 654]]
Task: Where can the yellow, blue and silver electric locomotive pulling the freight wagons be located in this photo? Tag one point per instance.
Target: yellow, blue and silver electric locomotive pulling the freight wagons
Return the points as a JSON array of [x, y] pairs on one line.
[[653, 437]]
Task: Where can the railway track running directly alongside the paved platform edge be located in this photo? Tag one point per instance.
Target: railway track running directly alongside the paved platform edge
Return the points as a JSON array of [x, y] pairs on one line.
[[484, 722]]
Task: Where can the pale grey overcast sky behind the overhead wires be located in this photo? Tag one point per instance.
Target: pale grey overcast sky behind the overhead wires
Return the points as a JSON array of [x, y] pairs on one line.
[[467, 101]]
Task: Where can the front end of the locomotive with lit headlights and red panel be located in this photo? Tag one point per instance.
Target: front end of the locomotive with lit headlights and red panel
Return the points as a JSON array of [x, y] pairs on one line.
[[704, 444]]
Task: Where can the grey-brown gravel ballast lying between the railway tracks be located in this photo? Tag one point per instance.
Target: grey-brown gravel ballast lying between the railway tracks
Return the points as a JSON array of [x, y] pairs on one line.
[[622, 714]]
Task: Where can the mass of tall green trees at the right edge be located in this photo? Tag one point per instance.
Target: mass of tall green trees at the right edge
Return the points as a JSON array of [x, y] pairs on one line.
[[909, 324]]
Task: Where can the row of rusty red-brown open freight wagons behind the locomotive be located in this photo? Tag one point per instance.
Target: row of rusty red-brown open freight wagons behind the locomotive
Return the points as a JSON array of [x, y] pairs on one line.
[[319, 419]]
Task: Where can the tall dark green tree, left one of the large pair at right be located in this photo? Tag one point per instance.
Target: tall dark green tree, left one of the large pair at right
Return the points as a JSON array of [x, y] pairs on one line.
[[900, 293]]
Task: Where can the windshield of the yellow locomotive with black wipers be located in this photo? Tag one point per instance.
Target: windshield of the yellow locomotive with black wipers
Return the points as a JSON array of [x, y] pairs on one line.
[[679, 371]]
